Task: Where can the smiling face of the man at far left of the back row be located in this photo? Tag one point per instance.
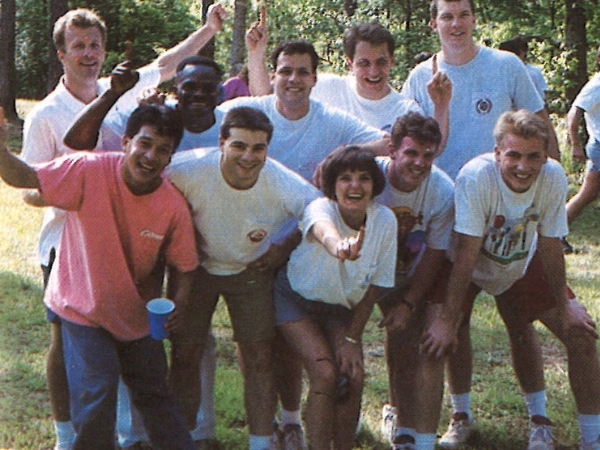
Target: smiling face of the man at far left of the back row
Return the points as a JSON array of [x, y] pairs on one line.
[[83, 54]]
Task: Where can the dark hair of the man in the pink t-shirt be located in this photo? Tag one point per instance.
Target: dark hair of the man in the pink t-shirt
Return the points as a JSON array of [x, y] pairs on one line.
[[165, 120]]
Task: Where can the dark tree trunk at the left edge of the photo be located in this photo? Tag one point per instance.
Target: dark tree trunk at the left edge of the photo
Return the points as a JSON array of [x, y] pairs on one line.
[[7, 60]]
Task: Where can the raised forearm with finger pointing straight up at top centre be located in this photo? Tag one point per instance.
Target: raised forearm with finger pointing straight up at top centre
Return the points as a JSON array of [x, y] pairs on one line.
[[257, 39]]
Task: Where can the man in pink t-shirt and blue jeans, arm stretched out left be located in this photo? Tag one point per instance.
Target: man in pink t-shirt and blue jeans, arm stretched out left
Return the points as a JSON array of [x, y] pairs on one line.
[[123, 219]]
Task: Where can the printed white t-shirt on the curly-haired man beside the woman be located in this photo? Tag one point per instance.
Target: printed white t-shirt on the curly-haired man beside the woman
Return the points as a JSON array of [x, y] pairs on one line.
[[425, 216]]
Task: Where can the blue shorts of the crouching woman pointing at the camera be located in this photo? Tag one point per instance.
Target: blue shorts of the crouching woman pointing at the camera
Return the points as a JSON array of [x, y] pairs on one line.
[[291, 306]]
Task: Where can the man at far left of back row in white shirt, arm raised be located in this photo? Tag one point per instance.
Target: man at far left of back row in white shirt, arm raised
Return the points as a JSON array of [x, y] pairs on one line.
[[80, 38]]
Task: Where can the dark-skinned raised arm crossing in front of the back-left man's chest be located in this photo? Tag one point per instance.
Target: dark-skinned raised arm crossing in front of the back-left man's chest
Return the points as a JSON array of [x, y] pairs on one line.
[[83, 132]]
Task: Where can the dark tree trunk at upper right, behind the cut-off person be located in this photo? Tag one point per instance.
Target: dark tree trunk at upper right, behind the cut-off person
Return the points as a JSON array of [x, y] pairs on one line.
[[576, 41]]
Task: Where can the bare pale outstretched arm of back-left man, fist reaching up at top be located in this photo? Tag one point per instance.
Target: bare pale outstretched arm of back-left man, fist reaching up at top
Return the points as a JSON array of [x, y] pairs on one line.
[[168, 61]]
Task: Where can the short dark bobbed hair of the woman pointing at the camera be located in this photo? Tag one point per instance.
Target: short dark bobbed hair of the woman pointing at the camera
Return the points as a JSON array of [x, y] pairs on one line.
[[349, 157]]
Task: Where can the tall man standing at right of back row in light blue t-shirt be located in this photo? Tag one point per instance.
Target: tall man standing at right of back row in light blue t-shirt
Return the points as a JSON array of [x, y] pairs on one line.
[[485, 83]]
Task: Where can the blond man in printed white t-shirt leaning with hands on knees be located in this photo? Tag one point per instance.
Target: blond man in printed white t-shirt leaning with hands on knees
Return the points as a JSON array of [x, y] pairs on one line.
[[509, 219]]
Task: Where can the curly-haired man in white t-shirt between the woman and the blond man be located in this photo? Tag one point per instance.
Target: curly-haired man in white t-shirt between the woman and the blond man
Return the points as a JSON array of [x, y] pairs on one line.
[[422, 198]]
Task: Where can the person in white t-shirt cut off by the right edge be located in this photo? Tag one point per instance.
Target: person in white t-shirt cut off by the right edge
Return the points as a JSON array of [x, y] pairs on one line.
[[586, 104]]
